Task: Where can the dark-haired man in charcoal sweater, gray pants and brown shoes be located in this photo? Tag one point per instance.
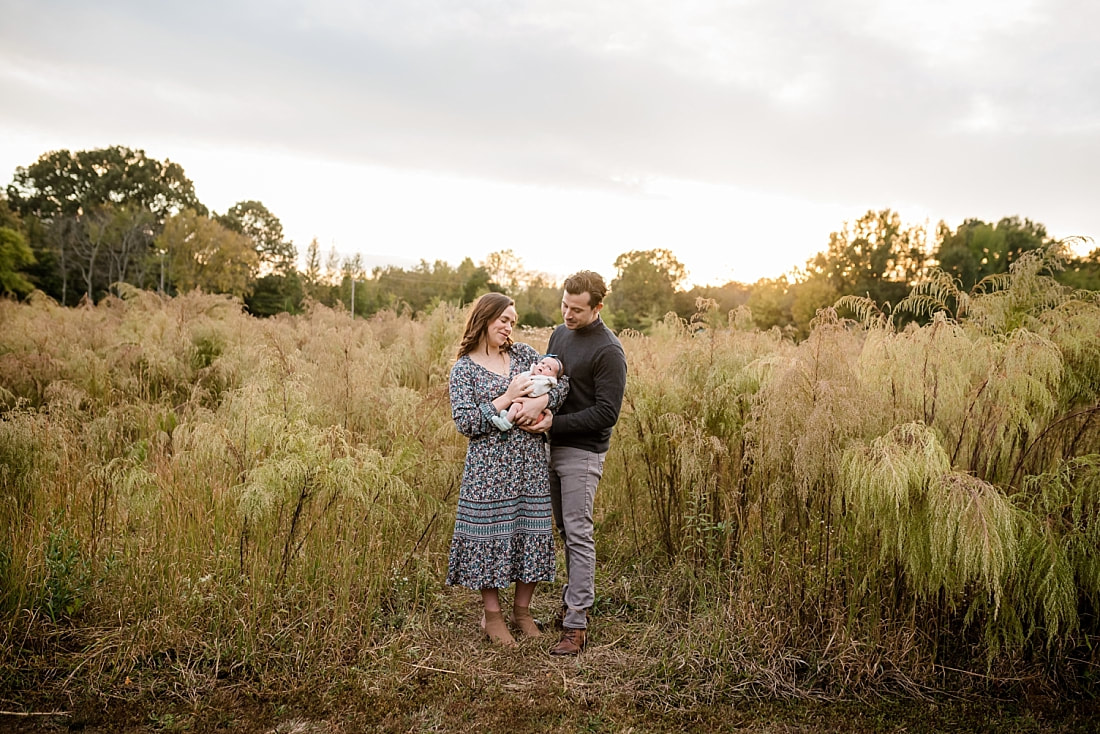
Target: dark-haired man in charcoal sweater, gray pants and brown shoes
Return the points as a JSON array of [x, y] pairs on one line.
[[580, 434]]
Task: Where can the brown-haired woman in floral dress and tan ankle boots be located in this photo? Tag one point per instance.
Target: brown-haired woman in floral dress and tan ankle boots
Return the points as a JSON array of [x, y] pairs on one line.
[[503, 529]]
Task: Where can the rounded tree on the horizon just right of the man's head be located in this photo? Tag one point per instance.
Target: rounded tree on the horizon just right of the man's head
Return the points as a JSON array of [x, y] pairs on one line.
[[645, 289]]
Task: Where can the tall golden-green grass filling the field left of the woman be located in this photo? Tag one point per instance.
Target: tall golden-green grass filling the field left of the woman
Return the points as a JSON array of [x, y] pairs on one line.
[[223, 489]]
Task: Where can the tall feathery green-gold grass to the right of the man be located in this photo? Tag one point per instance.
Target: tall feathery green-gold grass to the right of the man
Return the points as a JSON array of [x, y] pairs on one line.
[[922, 496]]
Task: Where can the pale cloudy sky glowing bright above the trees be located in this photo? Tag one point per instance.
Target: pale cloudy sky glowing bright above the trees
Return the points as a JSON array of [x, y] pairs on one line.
[[738, 135]]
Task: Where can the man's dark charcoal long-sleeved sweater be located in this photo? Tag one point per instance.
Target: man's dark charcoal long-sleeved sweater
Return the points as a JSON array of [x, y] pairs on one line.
[[596, 364]]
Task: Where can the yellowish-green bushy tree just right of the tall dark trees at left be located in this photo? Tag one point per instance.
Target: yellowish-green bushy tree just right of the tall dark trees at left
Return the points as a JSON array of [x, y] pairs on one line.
[[204, 255]]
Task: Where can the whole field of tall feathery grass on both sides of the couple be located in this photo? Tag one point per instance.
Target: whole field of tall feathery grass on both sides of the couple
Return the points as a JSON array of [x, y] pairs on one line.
[[186, 488]]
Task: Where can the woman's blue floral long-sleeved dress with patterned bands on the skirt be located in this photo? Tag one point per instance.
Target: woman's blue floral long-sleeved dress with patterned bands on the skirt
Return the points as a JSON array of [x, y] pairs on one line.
[[504, 525]]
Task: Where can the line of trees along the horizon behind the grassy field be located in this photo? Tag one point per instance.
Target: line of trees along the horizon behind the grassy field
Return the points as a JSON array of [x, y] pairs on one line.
[[75, 226]]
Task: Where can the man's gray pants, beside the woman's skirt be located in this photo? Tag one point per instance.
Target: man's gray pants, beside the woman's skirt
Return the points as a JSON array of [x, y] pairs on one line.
[[575, 475]]
